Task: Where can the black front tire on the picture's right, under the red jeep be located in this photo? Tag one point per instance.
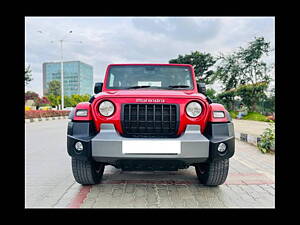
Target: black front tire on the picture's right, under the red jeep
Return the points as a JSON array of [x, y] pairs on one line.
[[213, 173]]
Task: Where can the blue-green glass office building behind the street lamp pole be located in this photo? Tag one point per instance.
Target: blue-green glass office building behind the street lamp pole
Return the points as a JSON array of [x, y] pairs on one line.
[[78, 77]]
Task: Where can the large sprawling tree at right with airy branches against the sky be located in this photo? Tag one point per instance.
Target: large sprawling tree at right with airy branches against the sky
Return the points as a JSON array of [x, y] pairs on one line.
[[245, 72]]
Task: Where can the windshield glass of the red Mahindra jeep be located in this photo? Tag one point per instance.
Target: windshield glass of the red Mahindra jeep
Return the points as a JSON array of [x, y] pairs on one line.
[[149, 77]]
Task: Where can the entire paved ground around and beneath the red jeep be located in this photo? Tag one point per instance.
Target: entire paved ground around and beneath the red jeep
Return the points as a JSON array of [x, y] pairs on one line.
[[49, 181]]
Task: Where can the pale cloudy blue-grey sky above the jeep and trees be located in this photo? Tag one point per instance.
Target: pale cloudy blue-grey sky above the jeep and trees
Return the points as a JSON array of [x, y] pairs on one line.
[[100, 41]]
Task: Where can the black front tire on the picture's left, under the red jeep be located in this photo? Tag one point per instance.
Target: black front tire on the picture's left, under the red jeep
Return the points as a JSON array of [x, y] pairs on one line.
[[87, 172]]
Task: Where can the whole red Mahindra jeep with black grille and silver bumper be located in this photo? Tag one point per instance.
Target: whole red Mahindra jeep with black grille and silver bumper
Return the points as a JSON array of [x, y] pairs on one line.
[[150, 117]]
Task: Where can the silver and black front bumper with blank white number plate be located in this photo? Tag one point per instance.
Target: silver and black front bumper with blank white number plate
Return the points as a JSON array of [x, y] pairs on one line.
[[109, 147]]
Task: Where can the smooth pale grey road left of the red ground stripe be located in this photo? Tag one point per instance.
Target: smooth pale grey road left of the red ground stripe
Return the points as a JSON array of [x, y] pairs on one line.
[[48, 176]]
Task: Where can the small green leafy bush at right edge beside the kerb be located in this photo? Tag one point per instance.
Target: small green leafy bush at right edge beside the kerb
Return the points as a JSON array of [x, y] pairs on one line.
[[267, 141]]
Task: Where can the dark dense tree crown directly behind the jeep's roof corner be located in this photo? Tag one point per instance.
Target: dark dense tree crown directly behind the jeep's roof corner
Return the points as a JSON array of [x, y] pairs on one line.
[[201, 62]]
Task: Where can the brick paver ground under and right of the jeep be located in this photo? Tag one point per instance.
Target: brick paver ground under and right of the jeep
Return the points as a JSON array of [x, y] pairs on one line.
[[250, 183]]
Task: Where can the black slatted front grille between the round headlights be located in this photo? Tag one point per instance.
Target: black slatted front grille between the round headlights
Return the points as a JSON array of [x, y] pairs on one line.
[[150, 120]]
